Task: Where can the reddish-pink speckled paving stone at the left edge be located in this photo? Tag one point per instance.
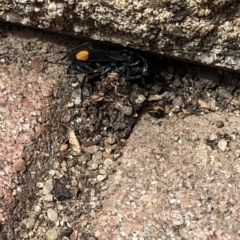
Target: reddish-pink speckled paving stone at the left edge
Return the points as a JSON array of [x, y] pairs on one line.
[[21, 104]]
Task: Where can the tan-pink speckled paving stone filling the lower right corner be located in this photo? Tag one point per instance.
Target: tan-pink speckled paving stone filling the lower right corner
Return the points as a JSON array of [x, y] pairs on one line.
[[173, 185]]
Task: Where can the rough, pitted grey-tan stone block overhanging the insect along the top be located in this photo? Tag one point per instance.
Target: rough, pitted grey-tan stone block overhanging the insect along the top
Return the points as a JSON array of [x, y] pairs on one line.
[[205, 31]]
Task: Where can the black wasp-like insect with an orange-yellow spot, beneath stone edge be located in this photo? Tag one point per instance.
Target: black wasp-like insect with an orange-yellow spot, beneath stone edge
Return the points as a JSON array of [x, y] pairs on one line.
[[85, 59]]
